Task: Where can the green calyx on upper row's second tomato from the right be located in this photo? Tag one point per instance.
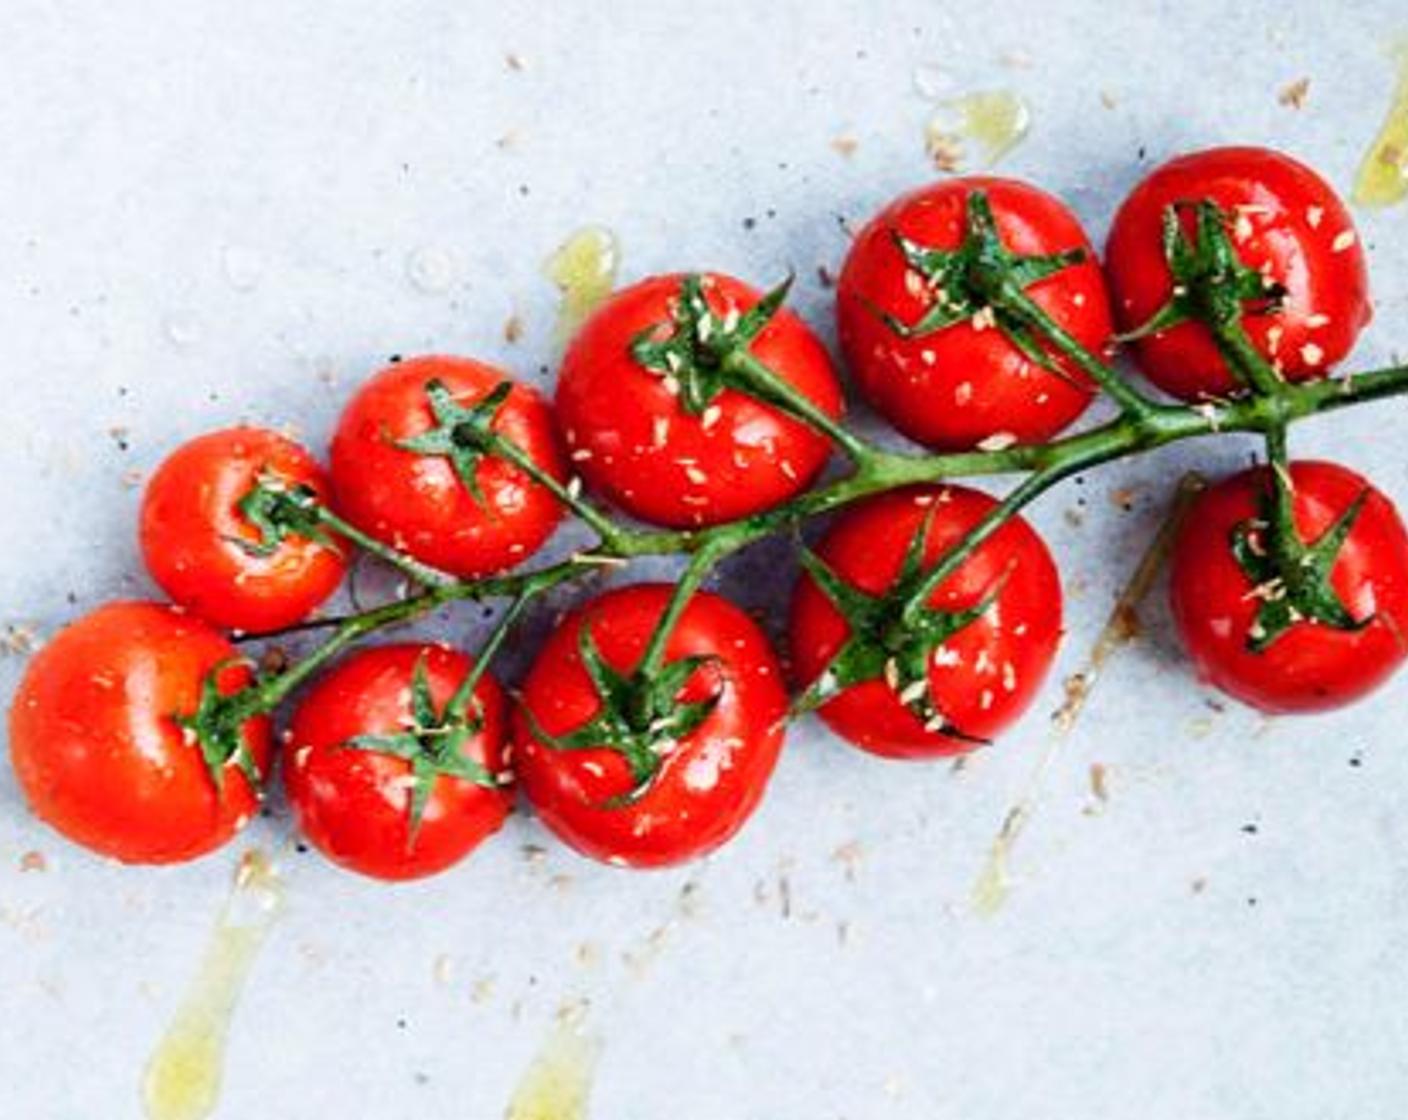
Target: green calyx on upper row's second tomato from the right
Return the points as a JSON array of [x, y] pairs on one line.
[[982, 282]]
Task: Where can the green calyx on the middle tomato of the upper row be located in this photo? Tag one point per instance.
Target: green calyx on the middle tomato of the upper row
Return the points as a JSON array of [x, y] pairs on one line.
[[692, 350]]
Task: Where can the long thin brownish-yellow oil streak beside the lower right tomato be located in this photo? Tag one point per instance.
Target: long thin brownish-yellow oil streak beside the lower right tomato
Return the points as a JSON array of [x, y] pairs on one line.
[[995, 884]]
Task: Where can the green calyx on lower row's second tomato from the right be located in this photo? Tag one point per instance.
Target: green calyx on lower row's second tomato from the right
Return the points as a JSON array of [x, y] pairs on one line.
[[891, 640]]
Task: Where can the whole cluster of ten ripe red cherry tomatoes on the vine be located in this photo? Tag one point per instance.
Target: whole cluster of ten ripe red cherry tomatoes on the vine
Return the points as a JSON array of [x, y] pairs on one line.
[[402, 759]]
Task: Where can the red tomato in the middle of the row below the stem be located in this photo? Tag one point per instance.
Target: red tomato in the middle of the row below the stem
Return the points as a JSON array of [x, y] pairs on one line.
[[710, 778]]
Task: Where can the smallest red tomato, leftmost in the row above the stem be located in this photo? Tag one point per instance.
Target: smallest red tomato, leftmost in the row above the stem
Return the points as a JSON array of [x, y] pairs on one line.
[[212, 559]]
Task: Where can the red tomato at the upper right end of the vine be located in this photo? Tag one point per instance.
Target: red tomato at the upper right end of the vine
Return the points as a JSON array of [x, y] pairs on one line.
[[1288, 225]]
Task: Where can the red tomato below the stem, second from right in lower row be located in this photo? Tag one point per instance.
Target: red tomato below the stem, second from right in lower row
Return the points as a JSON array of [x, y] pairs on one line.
[[923, 699]]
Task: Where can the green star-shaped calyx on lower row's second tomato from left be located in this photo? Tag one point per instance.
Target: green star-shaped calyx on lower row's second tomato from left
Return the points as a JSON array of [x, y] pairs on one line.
[[434, 743]]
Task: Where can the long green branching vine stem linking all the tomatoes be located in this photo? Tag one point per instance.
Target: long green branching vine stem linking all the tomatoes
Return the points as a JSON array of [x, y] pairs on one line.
[[1213, 294]]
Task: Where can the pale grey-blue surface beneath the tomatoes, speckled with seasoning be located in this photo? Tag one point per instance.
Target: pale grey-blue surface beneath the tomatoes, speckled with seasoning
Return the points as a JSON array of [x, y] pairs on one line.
[[206, 209]]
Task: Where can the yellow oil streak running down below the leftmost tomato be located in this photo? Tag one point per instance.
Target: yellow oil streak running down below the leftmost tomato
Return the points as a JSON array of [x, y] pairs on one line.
[[184, 1076]]
